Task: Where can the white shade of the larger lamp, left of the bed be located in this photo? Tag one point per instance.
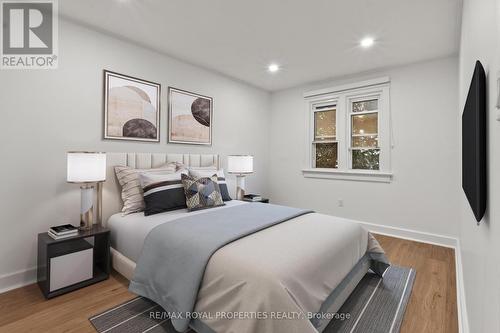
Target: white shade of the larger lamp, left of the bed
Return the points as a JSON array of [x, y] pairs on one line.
[[86, 167]]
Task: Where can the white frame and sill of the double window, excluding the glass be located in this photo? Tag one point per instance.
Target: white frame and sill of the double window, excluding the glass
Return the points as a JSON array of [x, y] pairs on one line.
[[343, 96]]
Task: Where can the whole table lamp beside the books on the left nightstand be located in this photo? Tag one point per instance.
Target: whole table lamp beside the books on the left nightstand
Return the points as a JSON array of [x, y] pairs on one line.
[[87, 169]]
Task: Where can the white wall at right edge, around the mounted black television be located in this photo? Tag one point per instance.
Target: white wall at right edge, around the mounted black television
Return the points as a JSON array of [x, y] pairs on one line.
[[480, 245]]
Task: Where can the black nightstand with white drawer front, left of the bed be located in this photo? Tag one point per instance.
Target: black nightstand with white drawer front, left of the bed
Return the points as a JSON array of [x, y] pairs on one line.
[[68, 264]]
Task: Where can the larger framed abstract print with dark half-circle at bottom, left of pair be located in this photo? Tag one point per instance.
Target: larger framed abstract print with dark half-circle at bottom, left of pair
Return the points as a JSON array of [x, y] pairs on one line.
[[131, 108]]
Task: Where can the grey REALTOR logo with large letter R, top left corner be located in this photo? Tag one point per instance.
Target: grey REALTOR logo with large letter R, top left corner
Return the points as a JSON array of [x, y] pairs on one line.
[[29, 34]]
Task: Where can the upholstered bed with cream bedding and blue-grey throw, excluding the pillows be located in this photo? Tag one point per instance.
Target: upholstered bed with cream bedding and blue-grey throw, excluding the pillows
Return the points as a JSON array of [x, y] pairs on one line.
[[294, 273]]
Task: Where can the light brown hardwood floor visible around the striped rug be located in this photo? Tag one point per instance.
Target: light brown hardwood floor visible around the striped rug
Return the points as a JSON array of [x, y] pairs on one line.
[[432, 307]]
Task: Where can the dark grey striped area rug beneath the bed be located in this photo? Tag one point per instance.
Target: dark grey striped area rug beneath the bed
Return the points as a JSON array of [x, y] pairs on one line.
[[376, 306]]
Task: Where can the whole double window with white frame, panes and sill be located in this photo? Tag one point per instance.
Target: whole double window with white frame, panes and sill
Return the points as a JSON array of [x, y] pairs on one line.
[[350, 132]]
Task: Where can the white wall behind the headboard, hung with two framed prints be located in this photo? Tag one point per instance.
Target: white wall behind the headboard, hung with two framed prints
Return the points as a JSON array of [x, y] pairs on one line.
[[45, 113]]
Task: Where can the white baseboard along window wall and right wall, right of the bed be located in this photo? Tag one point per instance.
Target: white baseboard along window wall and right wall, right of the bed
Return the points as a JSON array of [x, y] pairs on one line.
[[434, 239]]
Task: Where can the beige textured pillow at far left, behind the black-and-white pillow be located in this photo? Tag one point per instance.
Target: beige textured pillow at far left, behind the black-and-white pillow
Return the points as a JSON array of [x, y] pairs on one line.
[[132, 195]]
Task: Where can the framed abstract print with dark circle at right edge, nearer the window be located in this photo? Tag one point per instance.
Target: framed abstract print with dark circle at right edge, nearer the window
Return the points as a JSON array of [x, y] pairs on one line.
[[190, 117]]
